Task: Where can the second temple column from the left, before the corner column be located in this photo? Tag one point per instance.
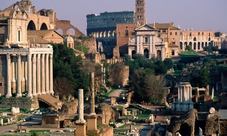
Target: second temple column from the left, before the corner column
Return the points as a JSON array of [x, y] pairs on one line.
[[19, 94]]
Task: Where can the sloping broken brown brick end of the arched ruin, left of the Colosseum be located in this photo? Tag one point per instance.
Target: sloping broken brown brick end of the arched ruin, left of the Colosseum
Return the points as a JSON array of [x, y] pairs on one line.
[[65, 25]]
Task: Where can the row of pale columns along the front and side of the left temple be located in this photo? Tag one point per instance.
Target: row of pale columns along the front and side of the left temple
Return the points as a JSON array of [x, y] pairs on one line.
[[37, 78]]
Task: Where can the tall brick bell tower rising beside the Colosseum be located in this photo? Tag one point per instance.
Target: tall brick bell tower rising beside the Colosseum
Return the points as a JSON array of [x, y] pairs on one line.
[[140, 12]]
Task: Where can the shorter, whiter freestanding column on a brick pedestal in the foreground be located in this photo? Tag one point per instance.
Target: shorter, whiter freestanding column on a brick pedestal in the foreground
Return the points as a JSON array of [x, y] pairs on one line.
[[81, 107]]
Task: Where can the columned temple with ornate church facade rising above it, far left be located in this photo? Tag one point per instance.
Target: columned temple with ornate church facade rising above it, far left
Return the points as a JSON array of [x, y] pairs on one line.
[[25, 67]]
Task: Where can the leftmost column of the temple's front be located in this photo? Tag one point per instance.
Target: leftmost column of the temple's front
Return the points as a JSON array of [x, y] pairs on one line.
[[9, 93]]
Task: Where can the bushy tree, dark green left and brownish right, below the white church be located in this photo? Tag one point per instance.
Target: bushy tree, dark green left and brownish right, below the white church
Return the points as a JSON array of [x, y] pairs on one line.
[[147, 87]]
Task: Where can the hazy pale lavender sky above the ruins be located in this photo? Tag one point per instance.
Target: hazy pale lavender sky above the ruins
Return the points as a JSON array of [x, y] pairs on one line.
[[187, 14]]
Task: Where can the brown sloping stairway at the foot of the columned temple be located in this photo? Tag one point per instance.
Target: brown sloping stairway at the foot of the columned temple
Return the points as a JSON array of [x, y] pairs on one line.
[[50, 100]]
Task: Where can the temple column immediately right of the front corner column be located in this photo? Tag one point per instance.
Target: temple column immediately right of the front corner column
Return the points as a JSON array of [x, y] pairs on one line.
[[34, 75]]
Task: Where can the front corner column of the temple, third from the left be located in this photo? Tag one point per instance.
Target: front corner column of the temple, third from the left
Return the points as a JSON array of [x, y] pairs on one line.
[[29, 74]]
